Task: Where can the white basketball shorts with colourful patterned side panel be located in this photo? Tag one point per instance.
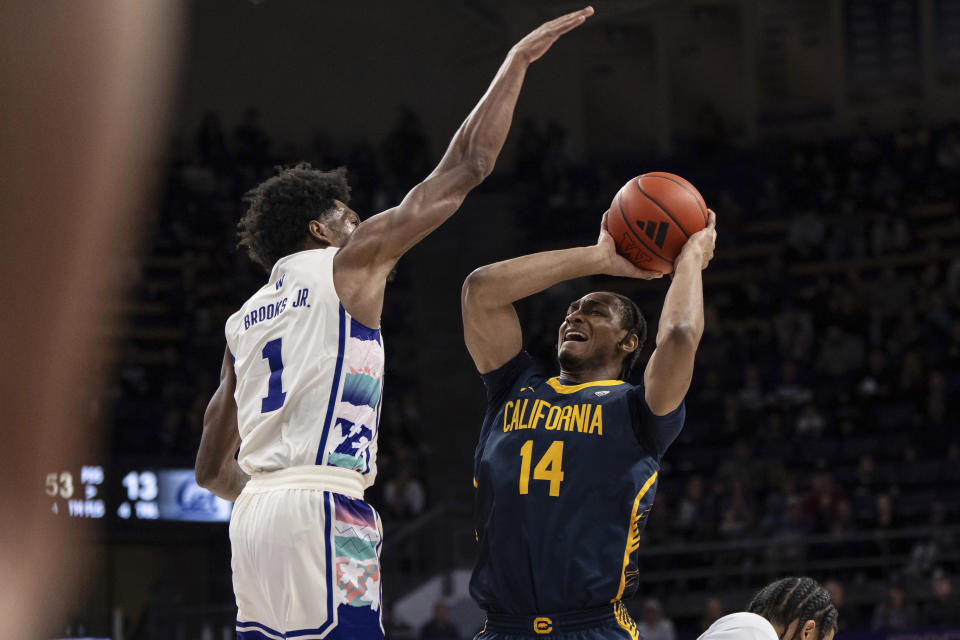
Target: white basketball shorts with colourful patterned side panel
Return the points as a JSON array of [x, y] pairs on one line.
[[306, 557]]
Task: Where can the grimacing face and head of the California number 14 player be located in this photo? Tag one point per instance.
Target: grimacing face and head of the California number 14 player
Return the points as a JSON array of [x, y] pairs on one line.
[[591, 332]]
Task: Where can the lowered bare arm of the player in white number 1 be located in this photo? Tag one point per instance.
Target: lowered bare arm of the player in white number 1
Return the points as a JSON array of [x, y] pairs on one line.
[[216, 468]]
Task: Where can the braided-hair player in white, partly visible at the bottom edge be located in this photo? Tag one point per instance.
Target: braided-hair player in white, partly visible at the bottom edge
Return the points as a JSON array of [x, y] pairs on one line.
[[788, 609]]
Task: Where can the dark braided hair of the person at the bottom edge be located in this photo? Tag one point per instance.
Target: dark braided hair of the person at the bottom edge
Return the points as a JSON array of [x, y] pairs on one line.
[[799, 599]]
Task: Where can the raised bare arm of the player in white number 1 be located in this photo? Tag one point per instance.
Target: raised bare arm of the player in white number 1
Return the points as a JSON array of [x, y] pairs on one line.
[[379, 242]]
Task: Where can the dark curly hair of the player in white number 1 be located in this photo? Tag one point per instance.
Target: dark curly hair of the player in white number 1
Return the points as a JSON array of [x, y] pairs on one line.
[[278, 210]]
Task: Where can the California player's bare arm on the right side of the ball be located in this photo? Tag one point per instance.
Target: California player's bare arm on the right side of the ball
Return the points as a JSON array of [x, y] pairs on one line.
[[670, 369]]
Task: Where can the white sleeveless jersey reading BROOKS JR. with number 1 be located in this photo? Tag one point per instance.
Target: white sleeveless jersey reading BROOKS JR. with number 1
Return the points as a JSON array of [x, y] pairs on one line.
[[309, 376]]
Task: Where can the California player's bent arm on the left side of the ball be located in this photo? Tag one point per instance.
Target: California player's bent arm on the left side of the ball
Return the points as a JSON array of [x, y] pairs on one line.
[[491, 327]]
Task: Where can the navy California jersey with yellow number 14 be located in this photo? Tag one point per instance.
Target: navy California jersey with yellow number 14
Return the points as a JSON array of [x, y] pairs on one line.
[[564, 478]]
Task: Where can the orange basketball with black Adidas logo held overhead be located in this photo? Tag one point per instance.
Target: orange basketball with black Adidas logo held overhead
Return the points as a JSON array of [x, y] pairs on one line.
[[651, 218]]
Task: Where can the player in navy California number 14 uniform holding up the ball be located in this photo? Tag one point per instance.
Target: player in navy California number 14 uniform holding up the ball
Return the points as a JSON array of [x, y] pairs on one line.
[[566, 467]]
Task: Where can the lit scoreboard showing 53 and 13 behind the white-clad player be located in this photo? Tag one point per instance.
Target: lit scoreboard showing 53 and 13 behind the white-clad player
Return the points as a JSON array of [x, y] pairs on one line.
[[132, 494]]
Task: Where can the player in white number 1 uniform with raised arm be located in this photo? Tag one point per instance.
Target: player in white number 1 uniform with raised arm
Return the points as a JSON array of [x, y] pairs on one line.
[[301, 378]]
